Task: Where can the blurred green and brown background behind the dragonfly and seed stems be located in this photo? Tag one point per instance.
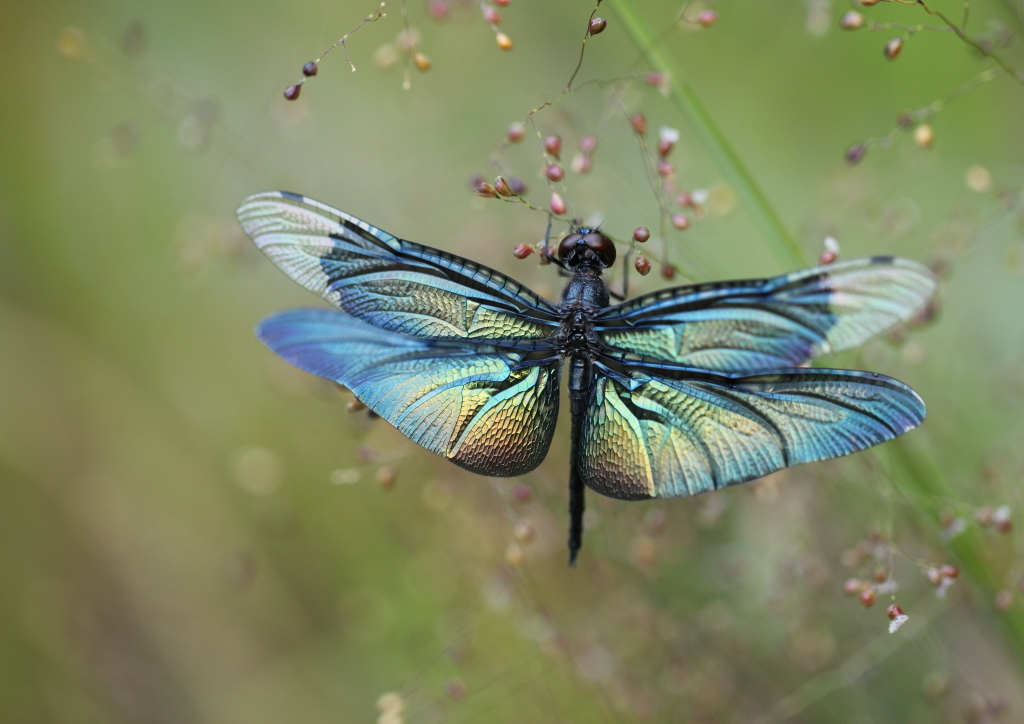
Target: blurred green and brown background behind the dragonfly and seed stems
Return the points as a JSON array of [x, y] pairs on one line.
[[191, 531]]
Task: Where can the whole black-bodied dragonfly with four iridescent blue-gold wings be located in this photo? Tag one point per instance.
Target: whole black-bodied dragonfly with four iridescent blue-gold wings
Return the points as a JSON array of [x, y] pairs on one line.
[[672, 394]]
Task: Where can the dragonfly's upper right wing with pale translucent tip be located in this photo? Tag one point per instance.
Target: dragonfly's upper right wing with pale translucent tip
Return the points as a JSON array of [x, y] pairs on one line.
[[754, 325]]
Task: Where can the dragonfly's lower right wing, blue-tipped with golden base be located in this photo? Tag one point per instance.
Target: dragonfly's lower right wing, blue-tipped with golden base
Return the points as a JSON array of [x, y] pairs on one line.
[[682, 432]]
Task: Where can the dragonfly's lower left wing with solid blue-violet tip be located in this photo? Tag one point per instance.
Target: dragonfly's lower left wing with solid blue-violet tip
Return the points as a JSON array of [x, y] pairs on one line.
[[466, 402]]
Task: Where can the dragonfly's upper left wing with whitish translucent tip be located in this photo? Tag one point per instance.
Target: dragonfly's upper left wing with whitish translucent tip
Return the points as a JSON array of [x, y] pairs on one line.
[[388, 282]]
